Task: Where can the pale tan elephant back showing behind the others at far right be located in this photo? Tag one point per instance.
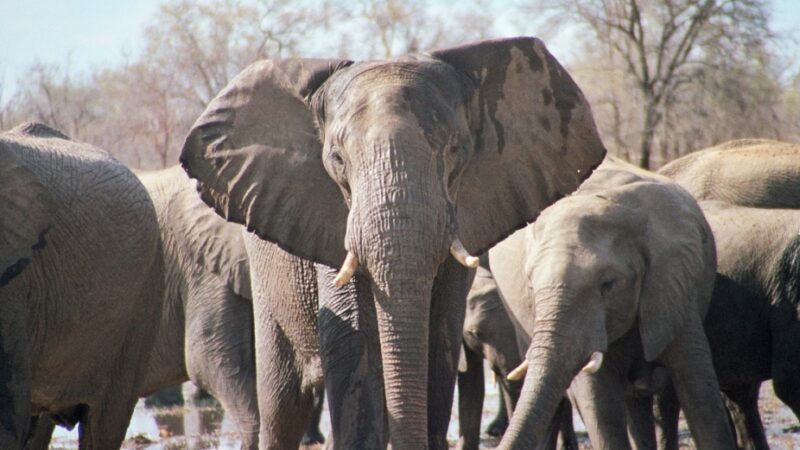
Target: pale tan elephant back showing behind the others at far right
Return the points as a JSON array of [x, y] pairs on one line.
[[760, 173]]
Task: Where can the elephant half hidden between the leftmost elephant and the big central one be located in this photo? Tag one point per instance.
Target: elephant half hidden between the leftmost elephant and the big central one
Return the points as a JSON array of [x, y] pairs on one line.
[[205, 330]]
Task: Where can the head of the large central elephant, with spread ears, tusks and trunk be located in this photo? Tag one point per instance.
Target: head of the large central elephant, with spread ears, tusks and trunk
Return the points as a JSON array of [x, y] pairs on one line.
[[390, 166]]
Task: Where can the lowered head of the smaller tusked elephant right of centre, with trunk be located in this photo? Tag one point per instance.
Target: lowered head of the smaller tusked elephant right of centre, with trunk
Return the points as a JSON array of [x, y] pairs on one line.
[[626, 252]]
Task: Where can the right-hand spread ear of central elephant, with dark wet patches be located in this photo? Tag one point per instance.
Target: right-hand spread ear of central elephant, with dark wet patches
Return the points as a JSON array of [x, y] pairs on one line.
[[534, 137]]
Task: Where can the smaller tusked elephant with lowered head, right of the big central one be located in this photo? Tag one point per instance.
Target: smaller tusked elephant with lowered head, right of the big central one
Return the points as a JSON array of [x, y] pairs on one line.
[[613, 277]]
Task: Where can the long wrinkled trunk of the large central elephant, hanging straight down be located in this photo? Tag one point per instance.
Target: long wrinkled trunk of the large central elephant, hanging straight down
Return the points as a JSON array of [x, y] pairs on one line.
[[401, 236]]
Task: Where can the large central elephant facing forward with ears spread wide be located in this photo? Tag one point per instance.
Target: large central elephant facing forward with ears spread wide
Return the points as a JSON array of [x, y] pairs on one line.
[[399, 170]]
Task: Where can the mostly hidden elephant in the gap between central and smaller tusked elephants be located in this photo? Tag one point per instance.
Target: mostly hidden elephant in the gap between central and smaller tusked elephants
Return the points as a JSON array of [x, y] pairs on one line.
[[489, 334]]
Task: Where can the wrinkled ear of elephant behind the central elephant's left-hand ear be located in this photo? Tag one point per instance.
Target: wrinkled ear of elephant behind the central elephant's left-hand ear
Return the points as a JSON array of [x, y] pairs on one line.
[[208, 240]]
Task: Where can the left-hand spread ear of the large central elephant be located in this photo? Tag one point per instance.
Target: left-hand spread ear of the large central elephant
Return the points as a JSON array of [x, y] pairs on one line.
[[257, 156]]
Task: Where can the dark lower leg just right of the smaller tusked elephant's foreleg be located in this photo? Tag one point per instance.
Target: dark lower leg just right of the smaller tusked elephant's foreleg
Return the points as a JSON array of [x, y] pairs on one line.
[[742, 402]]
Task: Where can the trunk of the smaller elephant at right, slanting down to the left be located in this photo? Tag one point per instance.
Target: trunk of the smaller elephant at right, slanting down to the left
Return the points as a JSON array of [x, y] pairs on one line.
[[550, 371]]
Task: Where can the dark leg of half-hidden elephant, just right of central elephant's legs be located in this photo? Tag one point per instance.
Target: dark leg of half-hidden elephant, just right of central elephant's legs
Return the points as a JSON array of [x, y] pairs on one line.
[[470, 401]]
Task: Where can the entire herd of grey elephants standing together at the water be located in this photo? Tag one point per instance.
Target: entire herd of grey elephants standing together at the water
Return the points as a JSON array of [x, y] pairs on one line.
[[320, 233]]
